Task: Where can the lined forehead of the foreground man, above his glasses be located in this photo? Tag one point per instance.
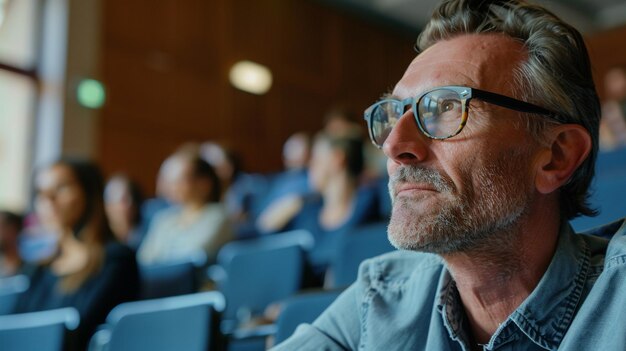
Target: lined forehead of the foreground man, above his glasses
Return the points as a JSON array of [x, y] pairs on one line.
[[483, 61]]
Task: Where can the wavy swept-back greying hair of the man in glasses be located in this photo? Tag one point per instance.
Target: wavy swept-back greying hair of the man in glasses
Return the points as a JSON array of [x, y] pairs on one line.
[[556, 74]]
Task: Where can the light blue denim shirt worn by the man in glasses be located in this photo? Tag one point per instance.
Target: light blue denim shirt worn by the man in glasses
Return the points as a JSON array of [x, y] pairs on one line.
[[408, 301]]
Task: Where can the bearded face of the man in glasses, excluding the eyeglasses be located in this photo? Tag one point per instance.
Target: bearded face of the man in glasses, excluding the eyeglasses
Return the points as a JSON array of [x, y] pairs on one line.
[[465, 192]]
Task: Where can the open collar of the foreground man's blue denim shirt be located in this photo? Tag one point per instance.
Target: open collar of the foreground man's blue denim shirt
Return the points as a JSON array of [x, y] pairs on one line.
[[546, 314]]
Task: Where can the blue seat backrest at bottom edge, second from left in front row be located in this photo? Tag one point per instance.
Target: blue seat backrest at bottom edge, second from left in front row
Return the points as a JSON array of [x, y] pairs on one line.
[[186, 322]]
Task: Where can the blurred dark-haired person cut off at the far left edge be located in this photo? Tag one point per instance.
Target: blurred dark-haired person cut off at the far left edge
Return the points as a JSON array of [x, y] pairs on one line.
[[10, 228]]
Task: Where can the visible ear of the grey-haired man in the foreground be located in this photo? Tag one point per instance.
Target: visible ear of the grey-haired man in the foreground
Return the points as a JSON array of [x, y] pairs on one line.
[[568, 146]]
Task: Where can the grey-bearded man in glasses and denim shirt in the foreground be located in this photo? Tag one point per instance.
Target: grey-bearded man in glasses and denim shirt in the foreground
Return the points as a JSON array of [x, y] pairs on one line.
[[491, 137]]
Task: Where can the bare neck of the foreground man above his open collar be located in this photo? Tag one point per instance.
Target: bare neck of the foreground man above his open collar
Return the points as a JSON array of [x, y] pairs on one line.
[[494, 281]]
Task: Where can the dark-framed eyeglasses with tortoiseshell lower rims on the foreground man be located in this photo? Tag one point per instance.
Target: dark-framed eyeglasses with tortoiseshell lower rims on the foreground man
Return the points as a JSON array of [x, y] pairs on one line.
[[440, 113]]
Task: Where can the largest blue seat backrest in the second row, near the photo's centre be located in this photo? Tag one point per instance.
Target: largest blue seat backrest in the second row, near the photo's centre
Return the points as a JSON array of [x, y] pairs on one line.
[[262, 270]]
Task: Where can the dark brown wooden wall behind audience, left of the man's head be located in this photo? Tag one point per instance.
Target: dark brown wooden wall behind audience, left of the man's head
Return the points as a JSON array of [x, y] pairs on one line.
[[165, 65]]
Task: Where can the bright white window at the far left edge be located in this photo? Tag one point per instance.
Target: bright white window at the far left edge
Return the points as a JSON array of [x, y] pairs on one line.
[[18, 96]]
